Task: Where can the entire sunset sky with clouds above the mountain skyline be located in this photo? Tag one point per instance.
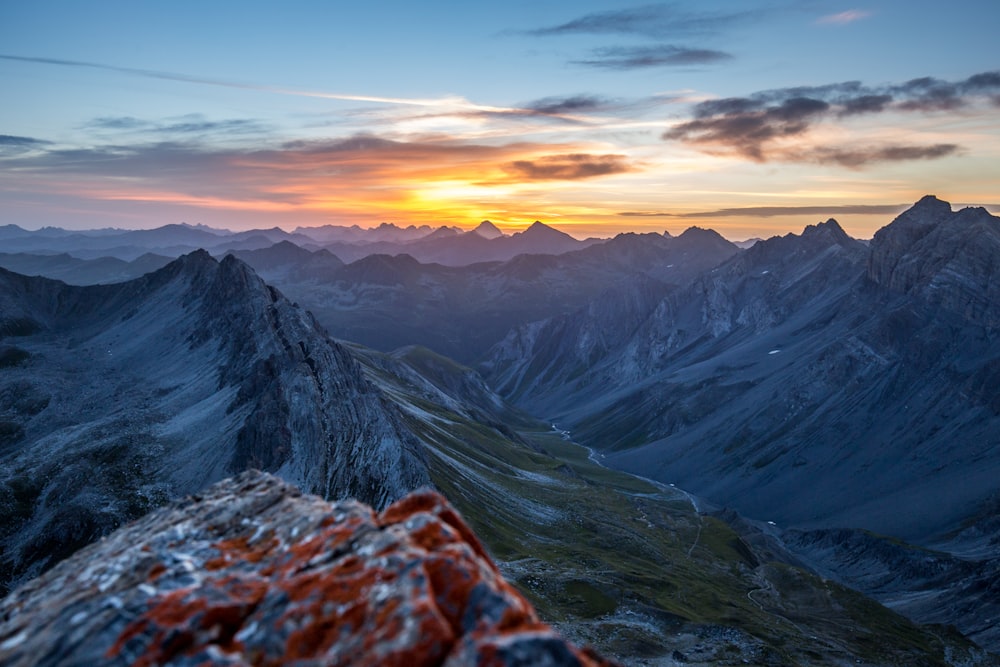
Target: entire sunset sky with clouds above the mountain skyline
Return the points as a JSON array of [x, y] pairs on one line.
[[753, 118]]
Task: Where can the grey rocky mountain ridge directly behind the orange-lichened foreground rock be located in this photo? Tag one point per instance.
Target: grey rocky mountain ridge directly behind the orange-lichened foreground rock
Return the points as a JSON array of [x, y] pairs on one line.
[[114, 398]]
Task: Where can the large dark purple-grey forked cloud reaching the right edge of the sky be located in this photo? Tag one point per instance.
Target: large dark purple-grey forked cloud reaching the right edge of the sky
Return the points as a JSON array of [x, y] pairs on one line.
[[774, 125]]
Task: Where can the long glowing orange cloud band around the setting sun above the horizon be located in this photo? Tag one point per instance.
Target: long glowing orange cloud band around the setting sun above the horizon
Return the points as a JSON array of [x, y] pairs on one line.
[[359, 177]]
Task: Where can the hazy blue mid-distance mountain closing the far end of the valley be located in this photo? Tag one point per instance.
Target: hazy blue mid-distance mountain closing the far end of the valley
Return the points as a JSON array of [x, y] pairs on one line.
[[386, 302]]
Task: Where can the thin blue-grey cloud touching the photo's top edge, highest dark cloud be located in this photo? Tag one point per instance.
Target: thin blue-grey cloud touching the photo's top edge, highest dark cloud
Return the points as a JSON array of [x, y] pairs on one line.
[[656, 21]]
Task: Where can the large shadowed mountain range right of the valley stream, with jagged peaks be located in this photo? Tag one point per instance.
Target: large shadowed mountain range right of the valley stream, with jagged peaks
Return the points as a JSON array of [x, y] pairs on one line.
[[811, 381]]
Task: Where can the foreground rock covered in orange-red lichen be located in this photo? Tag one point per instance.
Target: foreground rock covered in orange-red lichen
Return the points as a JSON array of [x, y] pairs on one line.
[[253, 572]]
